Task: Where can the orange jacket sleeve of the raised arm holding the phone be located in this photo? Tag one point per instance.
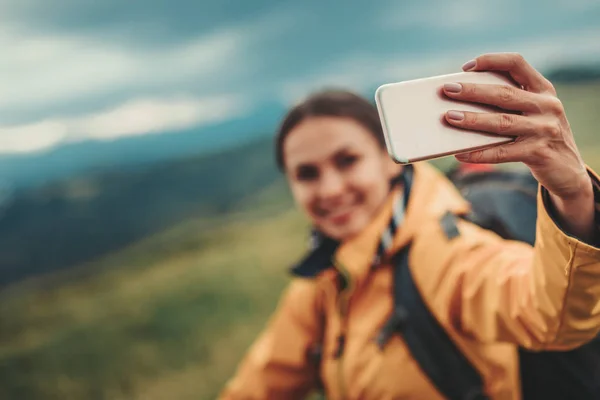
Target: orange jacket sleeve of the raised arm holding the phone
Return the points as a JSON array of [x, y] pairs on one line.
[[495, 290]]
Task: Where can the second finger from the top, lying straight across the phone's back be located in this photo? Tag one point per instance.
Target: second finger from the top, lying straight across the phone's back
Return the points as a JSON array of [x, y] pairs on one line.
[[503, 96]]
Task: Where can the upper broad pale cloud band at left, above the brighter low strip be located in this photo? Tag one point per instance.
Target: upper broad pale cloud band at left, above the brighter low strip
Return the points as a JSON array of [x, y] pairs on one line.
[[36, 71]]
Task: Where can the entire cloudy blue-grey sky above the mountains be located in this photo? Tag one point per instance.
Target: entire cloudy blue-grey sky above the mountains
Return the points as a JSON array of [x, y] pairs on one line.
[[75, 70]]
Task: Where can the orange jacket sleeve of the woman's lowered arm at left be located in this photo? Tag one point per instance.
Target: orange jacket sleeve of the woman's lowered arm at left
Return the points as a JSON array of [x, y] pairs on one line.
[[277, 365]]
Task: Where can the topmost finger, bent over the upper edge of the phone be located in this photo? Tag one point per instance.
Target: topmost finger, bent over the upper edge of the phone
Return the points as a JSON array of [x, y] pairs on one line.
[[513, 63]]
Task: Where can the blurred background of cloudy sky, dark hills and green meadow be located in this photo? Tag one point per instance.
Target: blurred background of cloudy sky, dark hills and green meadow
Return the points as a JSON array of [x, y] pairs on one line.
[[145, 233]]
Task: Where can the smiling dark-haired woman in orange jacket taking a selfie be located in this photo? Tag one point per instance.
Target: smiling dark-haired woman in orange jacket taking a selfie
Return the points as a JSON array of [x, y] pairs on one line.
[[487, 298]]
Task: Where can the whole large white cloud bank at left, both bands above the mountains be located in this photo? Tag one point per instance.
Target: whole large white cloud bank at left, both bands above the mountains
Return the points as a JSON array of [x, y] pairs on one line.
[[39, 72]]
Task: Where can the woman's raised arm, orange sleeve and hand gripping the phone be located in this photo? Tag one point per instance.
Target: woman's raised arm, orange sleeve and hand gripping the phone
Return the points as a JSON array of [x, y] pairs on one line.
[[496, 290]]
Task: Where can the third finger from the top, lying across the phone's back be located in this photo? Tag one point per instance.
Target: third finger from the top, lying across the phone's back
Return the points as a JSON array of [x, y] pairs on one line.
[[499, 123]]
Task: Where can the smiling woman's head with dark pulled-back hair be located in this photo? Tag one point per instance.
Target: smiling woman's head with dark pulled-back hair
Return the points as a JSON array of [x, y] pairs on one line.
[[335, 182]]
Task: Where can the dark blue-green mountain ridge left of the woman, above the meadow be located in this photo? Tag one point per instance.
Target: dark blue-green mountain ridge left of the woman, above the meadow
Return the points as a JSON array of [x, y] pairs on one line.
[[75, 220]]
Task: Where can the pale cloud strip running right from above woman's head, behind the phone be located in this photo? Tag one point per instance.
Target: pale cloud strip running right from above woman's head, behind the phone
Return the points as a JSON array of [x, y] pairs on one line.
[[361, 72]]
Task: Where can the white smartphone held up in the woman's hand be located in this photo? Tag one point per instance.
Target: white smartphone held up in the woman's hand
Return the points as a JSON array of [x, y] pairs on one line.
[[412, 114]]
